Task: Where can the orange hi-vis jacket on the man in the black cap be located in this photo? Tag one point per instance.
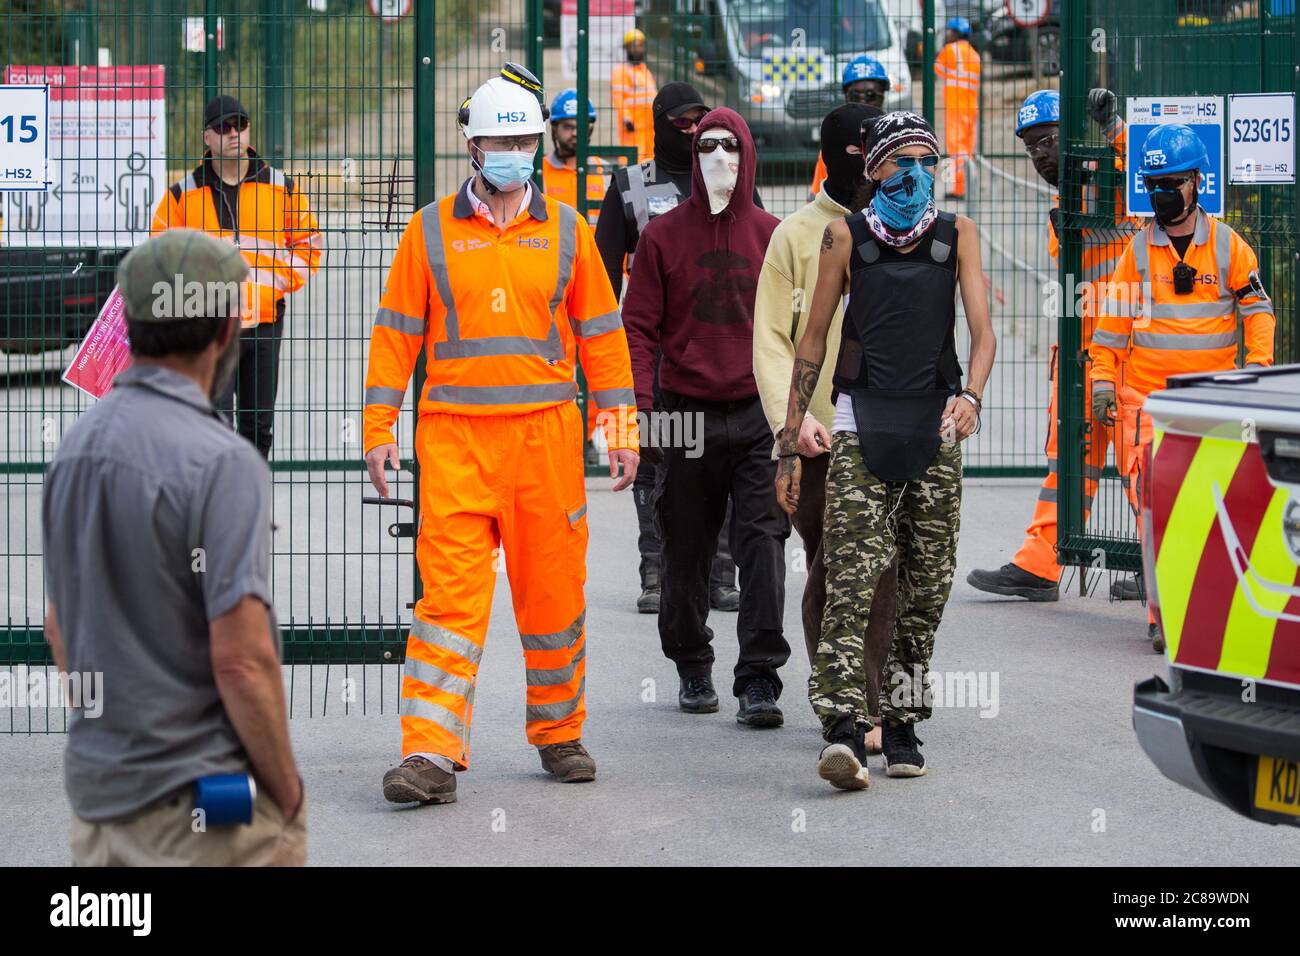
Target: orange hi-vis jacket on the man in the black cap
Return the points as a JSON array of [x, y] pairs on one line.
[[272, 227]]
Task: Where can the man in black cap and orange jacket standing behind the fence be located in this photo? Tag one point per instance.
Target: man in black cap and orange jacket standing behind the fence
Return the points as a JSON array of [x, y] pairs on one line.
[[237, 197]]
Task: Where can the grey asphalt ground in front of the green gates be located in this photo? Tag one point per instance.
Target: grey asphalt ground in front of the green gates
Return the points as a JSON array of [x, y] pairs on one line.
[[1043, 771]]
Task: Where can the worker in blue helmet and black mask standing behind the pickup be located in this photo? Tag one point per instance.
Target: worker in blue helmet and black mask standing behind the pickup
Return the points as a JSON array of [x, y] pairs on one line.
[[1175, 302]]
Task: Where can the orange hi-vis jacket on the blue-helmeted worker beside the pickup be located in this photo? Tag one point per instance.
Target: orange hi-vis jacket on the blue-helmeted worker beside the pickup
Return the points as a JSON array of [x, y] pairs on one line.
[[1162, 334]]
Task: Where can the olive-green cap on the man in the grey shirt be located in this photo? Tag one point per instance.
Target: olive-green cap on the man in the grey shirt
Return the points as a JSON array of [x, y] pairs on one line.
[[183, 274]]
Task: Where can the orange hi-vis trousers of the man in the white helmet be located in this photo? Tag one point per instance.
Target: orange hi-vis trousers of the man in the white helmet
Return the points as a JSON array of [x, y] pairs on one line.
[[497, 488]]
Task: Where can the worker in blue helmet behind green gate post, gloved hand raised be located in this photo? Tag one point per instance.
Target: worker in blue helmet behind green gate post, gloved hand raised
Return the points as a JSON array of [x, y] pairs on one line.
[[1034, 573]]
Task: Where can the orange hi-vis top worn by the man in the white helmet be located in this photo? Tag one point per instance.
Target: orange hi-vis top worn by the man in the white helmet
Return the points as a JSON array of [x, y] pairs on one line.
[[502, 318]]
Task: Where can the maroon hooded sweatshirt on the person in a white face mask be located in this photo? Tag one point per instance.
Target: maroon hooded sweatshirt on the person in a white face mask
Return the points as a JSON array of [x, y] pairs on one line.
[[694, 283]]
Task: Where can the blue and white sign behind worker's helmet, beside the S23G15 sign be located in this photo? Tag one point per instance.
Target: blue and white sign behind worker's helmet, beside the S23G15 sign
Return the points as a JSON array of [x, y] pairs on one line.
[[1206, 116]]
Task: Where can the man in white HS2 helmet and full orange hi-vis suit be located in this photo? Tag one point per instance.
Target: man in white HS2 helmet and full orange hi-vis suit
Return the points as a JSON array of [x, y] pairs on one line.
[[501, 288]]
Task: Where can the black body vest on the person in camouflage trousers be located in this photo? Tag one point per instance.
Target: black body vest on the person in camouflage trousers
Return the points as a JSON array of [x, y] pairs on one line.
[[898, 353]]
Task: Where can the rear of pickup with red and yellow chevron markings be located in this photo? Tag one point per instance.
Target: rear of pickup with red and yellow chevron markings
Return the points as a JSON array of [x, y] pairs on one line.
[[1221, 551]]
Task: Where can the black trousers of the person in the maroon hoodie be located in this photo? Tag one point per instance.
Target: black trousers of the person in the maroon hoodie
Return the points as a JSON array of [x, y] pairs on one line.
[[691, 507]]
